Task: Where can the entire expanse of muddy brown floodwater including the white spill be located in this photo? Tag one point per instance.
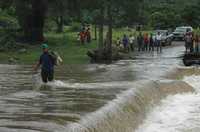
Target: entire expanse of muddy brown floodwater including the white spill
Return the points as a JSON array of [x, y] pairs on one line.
[[127, 96]]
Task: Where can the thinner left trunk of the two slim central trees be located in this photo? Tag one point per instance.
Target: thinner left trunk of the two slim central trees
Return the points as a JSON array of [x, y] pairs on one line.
[[101, 25]]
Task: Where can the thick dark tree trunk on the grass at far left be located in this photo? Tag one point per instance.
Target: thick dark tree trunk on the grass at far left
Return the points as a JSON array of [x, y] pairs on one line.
[[32, 18]]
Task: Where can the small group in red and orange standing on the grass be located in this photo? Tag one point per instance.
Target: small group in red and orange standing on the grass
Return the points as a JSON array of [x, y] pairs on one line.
[[84, 35]]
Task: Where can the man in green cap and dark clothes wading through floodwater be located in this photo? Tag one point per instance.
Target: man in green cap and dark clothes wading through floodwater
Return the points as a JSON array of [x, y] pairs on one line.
[[47, 63]]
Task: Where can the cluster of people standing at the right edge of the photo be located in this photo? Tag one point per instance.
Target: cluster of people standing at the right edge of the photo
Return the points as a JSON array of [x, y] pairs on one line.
[[192, 42]]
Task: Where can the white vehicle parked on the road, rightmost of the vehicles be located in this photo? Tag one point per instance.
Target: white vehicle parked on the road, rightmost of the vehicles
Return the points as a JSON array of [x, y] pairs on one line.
[[180, 32]]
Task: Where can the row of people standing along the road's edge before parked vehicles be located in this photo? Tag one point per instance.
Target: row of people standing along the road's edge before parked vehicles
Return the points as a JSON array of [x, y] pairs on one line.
[[143, 42]]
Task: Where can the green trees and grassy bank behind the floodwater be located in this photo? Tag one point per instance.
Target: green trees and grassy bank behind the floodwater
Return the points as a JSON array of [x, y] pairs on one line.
[[58, 23]]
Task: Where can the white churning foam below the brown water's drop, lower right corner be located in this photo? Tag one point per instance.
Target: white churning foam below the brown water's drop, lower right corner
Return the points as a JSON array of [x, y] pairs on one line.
[[176, 113]]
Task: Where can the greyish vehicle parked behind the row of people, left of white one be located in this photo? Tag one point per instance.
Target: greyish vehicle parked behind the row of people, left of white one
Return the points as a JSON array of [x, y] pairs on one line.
[[167, 37]]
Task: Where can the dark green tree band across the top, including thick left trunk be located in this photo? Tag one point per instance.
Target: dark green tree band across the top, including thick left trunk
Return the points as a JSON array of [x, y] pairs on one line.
[[32, 14]]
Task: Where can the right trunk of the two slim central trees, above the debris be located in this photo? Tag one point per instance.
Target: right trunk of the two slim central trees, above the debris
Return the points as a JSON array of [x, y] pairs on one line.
[[109, 45]]
